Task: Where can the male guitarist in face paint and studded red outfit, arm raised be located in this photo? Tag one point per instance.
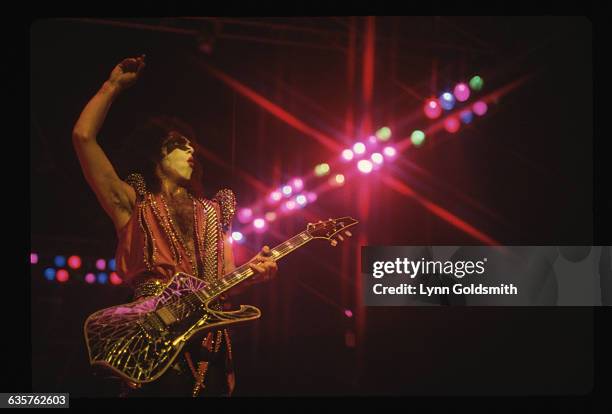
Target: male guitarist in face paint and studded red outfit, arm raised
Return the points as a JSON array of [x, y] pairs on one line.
[[164, 226]]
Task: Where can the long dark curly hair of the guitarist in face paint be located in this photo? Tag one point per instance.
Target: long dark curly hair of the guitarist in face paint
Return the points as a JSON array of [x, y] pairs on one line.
[[142, 151]]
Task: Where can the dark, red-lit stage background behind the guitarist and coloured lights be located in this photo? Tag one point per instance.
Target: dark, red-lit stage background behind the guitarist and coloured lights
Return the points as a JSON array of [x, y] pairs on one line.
[[529, 161]]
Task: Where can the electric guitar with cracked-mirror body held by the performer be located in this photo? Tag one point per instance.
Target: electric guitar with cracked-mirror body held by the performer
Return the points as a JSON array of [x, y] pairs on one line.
[[140, 340]]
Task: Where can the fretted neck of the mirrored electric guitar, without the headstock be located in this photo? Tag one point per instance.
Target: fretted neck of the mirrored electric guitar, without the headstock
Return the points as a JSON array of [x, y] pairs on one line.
[[243, 272]]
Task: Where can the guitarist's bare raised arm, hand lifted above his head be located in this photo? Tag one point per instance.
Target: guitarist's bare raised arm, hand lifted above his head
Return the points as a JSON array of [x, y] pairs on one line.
[[116, 196]]
